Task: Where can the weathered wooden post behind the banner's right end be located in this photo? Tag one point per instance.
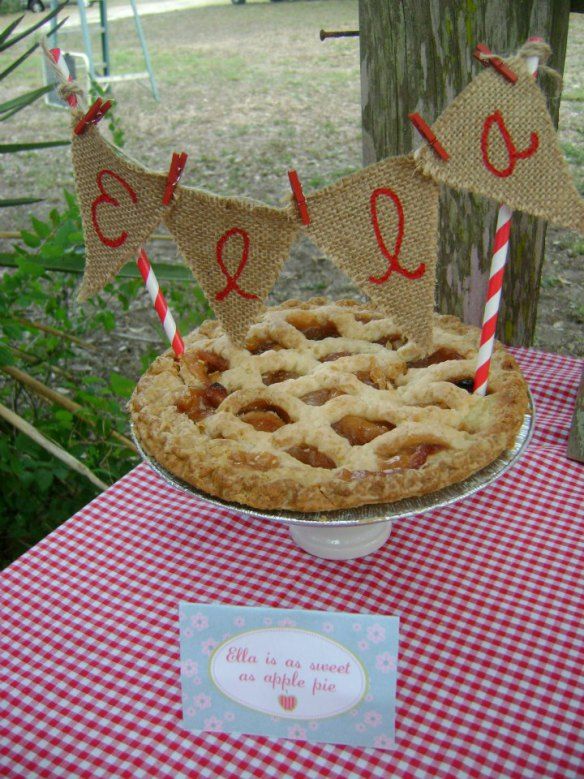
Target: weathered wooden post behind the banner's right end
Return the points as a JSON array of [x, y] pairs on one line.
[[416, 55]]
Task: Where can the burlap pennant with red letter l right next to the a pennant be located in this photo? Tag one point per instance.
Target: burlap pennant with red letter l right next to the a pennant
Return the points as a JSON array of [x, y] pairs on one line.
[[379, 226]]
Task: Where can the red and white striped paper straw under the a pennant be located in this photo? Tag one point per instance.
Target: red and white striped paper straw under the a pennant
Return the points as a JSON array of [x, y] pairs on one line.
[[498, 262]]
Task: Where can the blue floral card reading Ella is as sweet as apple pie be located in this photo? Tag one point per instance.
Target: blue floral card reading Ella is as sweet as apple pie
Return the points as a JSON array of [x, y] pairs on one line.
[[287, 673]]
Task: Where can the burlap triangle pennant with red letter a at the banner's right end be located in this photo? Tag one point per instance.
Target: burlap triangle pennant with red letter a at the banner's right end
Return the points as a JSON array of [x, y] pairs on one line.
[[502, 144]]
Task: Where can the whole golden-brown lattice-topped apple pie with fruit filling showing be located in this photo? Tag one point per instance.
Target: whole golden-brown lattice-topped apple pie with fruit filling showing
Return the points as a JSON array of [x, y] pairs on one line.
[[326, 408]]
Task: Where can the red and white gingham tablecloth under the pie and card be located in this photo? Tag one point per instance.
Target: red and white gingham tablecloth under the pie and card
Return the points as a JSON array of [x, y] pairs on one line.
[[487, 590]]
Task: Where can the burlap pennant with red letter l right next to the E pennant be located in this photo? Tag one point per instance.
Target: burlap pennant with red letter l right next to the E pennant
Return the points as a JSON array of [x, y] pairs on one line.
[[235, 249]]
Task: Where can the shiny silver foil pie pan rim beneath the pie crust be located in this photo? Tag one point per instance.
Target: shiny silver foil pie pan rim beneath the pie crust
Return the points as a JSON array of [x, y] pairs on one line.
[[375, 512]]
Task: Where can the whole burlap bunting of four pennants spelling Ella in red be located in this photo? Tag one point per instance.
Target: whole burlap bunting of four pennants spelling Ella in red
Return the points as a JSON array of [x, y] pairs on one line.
[[378, 225]]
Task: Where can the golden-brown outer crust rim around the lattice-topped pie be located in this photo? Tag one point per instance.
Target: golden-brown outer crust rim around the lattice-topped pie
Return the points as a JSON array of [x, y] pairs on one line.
[[238, 472]]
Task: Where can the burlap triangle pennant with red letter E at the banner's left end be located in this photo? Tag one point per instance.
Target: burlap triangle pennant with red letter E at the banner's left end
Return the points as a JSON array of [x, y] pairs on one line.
[[121, 204]]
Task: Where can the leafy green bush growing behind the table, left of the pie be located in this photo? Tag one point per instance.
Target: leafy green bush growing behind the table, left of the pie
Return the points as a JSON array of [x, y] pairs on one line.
[[39, 320]]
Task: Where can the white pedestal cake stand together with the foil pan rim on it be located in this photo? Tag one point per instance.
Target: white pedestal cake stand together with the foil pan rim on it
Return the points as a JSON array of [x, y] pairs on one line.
[[347, 534]]
